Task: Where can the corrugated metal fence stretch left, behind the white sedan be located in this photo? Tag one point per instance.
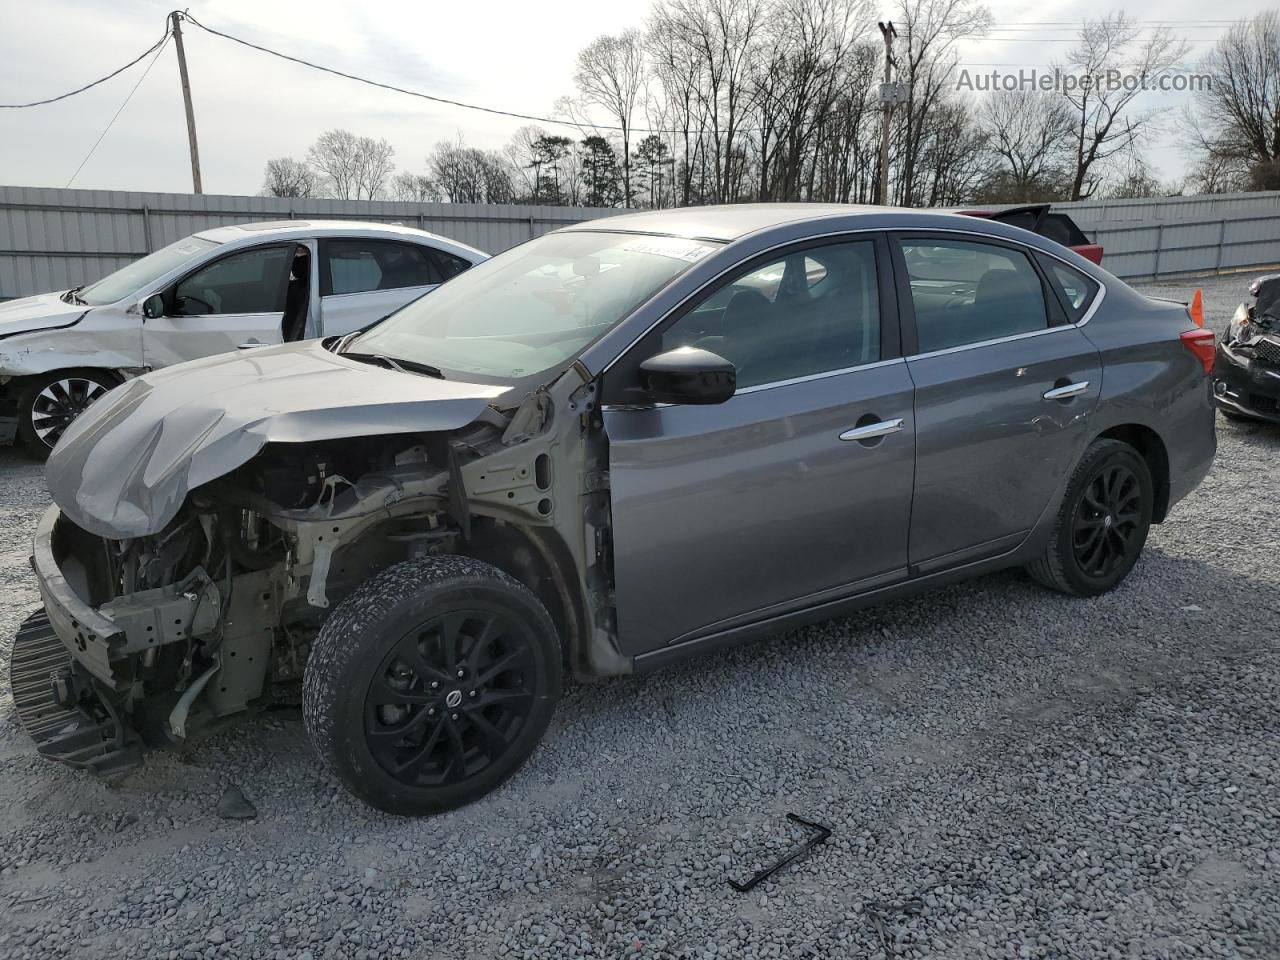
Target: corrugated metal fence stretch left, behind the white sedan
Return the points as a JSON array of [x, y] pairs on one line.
[[52, 240]]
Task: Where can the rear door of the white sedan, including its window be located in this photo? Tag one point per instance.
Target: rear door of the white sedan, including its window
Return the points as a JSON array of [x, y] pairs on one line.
[[363, 281]]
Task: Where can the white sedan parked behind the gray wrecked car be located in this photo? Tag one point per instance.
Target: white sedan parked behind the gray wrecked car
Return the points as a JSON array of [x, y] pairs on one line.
[[217, 291]]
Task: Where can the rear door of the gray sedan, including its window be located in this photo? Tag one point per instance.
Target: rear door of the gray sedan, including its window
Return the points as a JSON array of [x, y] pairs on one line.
[[1004, 390]]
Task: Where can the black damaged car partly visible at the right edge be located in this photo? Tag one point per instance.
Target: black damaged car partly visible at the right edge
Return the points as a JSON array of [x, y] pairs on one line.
[[1247, 365]]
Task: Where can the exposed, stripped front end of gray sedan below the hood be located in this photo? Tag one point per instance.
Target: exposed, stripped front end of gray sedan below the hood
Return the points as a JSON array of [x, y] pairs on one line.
[[158, 639]]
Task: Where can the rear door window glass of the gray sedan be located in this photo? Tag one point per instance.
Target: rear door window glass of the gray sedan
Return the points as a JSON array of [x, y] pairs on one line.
[[968, 292]]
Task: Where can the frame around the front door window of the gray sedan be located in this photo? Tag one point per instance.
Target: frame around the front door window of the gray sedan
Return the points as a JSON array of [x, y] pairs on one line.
[[628, 364]]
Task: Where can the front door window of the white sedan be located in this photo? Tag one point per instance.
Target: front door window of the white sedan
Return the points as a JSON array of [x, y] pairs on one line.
[[249, 282]]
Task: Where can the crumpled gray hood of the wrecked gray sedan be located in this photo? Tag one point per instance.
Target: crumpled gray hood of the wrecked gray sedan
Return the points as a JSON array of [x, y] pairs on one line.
[[125, 468]]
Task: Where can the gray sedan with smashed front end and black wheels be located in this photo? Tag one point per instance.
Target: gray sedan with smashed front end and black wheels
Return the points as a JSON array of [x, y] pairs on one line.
[[616, 446]]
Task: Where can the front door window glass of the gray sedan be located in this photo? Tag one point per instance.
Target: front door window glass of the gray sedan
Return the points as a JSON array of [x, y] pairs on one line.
[[808, 313]]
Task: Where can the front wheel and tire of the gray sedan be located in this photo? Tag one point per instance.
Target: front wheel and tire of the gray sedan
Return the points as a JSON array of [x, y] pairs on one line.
[[432, 684]]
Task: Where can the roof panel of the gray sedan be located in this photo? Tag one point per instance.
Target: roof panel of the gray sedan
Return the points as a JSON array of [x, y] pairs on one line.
[[734, 221]]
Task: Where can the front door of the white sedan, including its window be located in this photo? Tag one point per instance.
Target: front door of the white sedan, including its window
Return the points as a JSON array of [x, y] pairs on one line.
[[237, 300]]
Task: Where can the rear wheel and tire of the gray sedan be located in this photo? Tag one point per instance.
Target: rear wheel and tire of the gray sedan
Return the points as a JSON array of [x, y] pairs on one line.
[[1103, 524]]
